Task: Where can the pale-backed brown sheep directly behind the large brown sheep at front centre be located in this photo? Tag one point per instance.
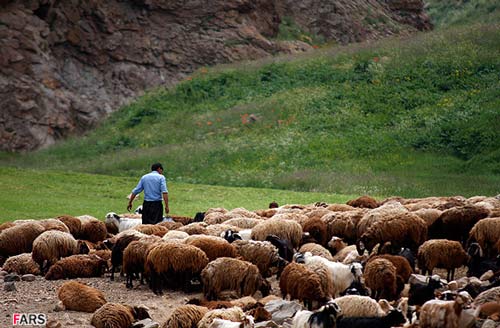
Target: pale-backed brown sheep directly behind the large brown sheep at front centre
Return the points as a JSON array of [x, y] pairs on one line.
[[261, 253]]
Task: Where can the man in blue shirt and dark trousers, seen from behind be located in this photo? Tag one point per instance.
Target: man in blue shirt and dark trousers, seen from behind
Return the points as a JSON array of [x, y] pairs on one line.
[[154, 185]]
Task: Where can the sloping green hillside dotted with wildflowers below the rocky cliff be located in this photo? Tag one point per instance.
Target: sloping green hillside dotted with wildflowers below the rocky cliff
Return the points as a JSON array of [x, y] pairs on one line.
[[411, 117]]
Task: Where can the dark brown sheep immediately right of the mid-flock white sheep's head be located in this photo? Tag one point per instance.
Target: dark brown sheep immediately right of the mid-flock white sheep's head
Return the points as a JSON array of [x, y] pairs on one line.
[[380, 277]]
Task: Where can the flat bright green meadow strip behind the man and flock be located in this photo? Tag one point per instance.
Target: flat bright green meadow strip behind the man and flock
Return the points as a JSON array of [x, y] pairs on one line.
[[35, 194]]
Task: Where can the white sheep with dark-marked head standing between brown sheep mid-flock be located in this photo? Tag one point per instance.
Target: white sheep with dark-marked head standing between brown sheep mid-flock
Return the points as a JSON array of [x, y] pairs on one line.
[[342, 275]]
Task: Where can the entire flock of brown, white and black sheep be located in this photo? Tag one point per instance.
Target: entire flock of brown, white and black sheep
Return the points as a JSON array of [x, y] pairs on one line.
[[350, 265]]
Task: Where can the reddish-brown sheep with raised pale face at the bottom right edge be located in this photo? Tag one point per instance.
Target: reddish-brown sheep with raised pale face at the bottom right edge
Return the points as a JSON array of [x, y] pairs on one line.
[[442, 314]]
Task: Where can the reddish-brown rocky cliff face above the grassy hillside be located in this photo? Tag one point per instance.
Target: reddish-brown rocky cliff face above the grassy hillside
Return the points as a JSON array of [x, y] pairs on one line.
[[65, 65]]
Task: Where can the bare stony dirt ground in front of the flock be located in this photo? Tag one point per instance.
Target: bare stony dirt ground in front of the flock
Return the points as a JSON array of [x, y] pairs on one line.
[[40, 296]]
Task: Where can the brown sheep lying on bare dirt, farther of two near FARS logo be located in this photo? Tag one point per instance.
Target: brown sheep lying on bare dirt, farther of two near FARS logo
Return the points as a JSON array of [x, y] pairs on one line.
[[76, 296]]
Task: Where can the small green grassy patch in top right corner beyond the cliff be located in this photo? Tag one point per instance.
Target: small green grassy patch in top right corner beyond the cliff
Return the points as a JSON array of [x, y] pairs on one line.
[[445, 13]]
